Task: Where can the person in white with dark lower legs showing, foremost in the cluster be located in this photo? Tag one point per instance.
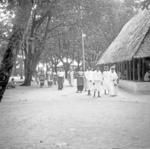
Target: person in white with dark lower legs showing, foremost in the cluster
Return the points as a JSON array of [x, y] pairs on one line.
[[97, 83]]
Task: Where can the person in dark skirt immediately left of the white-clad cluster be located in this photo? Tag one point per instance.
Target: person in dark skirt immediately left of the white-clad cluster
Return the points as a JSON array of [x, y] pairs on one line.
[[80, 81]]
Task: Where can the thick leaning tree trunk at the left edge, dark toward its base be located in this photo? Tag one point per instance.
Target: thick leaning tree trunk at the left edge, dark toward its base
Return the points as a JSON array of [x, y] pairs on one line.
[[21, 19]]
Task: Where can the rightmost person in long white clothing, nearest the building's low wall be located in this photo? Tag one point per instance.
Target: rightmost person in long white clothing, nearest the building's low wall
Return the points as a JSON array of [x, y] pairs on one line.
[[113, 79]]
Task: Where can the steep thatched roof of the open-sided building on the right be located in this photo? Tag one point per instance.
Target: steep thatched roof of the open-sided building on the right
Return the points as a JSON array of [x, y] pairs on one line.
[[132, 41]]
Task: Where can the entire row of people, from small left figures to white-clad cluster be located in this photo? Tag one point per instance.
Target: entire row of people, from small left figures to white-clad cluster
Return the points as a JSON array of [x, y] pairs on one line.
[[95, 82]]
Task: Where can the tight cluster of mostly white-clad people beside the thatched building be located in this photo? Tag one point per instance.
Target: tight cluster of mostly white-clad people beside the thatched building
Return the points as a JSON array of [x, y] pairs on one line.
[[97, 83]]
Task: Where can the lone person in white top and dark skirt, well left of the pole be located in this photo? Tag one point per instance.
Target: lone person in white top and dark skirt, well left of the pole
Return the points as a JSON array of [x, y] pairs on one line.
[[61, 78]]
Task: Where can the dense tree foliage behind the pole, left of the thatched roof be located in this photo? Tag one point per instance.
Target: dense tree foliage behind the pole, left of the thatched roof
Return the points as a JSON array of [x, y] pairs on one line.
[[100, 20]]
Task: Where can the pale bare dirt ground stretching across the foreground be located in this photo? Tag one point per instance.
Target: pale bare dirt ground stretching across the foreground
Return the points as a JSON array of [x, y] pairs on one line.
[[45, 118]]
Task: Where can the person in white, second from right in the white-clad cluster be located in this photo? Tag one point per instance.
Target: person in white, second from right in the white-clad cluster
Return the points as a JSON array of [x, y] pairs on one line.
[[106, 80]]
